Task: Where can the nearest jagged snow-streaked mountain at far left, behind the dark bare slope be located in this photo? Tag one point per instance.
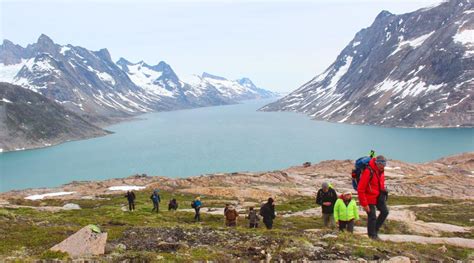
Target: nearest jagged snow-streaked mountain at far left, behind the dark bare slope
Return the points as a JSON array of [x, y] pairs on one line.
[[86, 82]]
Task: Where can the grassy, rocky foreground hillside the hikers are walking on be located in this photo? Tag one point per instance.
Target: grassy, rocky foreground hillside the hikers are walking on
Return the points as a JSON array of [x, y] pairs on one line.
[[429, 219]]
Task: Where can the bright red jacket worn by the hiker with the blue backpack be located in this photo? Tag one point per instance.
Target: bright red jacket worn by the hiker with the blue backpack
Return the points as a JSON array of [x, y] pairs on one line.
[[368, 192]]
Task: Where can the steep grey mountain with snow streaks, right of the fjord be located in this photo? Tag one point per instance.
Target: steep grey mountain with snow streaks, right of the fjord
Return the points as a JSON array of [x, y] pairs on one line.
[[409, 70]]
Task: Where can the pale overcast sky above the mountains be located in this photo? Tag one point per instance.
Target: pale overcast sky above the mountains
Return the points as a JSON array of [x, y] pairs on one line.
[[279, 44]]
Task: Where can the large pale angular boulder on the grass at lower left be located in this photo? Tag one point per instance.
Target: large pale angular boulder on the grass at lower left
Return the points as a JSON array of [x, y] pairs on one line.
[[84, 242]]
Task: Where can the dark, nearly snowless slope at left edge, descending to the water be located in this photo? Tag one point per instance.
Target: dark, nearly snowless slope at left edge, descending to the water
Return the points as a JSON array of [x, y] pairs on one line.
[[30, 120]]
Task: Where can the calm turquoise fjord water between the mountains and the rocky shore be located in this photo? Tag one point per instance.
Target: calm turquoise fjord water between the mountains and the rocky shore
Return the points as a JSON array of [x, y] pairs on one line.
[[220, 139]]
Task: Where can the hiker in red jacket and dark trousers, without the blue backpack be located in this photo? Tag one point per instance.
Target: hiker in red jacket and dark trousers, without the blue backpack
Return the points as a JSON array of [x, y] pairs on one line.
[[372, 195]]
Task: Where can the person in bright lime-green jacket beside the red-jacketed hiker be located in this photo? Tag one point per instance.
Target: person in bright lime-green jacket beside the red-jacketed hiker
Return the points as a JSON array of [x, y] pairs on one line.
[[346, 212]]
